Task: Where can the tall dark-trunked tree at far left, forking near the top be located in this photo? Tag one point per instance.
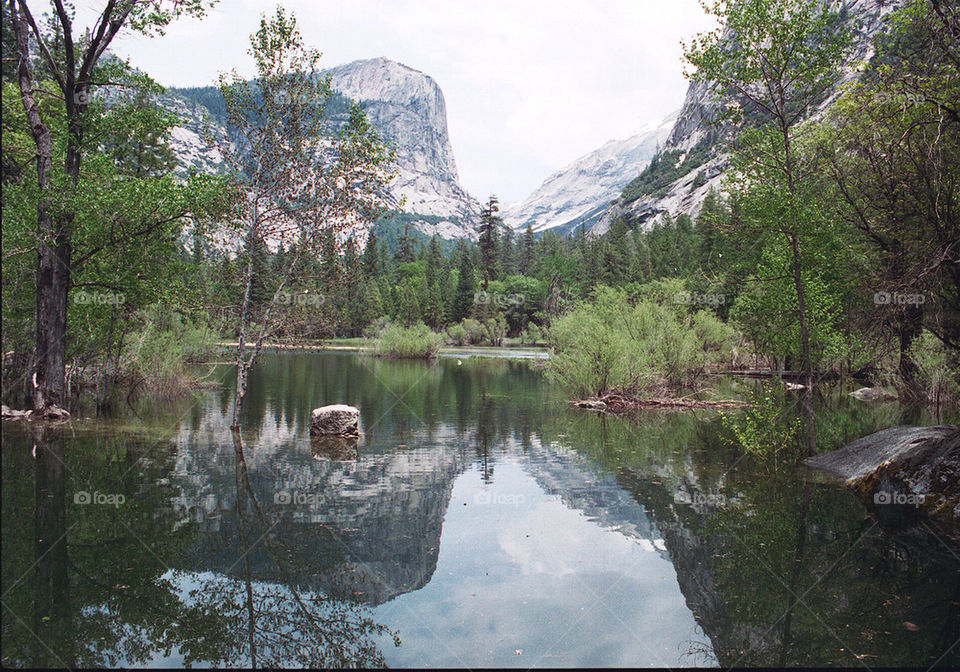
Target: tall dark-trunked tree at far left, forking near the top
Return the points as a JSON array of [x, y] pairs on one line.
[[68, 70]]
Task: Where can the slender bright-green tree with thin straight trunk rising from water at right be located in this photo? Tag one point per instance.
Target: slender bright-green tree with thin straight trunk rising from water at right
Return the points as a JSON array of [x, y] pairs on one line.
[[775, 61]]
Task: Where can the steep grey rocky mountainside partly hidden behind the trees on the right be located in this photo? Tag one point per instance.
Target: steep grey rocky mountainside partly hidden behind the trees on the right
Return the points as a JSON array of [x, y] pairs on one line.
[[691, 161]]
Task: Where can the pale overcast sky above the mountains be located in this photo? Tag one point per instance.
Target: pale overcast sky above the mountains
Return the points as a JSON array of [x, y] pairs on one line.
[[530, 85]]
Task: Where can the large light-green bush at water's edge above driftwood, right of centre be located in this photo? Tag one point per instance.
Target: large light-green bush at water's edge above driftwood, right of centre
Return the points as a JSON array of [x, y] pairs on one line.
[[613, 342]]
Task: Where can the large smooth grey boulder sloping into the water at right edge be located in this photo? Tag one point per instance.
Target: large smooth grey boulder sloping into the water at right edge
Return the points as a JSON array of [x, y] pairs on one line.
[[902, 473]]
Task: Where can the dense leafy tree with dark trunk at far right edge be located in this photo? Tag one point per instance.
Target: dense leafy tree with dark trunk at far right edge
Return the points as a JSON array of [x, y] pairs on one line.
[[892, 148]]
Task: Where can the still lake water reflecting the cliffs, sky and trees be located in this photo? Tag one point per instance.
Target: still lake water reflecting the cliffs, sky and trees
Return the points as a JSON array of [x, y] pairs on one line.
[[480, 521]]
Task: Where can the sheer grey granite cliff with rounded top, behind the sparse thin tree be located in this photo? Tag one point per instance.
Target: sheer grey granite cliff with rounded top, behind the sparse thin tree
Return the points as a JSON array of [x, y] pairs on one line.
[[407, 109]]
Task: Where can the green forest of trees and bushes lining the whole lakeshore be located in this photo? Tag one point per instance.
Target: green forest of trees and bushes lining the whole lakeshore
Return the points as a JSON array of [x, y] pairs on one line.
[[831, 245]]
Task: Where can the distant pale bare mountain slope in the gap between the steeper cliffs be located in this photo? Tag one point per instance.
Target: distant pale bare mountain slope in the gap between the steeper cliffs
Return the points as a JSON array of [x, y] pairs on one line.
[[579, 193]]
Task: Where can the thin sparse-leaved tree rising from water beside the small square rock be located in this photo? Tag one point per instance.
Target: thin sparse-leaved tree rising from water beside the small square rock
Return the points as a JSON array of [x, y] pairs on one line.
[[297, 185]]
